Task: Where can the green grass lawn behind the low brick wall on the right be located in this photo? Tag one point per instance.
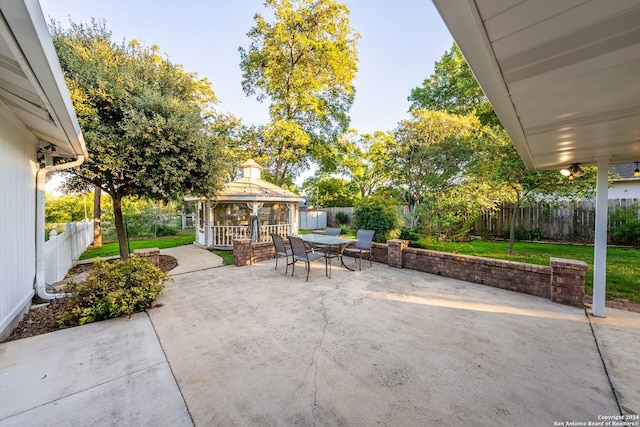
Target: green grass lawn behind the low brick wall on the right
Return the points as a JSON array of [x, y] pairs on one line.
[[623, 264]]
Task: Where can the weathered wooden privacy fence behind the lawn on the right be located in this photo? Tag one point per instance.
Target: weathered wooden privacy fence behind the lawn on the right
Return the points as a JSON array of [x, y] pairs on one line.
[[571, 222]]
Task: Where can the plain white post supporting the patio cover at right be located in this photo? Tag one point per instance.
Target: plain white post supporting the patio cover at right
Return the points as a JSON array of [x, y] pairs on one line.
[[600, 244]]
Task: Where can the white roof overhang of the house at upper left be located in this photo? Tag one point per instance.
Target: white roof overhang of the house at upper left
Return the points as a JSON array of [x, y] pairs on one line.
[[31, 81]]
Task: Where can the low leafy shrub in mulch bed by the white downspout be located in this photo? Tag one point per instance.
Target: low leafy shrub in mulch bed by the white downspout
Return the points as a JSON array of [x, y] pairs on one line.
[[113, 290]]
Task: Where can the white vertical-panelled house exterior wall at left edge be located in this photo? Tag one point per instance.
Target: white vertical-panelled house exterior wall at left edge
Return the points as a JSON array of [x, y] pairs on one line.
[[18, 166]]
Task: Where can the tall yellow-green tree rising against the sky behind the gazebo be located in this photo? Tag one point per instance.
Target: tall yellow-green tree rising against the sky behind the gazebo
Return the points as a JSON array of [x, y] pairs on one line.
[[304, 62]]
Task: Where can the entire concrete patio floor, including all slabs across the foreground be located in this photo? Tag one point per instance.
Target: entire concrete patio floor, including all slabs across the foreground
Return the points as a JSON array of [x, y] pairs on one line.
[[250, 346]]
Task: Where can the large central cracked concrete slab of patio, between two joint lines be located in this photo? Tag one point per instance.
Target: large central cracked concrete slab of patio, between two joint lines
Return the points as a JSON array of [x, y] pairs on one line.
[[387, 346]]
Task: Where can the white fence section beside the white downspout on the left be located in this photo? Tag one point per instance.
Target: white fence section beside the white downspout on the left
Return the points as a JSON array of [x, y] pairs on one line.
[[62, 249]]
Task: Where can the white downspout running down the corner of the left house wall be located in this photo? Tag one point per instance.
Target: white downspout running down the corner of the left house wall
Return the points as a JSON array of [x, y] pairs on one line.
[[41, 176]]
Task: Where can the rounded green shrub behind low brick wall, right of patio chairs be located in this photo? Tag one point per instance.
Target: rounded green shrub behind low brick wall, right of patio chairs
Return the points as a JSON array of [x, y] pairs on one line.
[[379, 214]]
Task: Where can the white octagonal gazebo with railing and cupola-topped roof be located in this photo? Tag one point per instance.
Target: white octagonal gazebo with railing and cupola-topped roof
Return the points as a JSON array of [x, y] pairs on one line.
[[247, 208]]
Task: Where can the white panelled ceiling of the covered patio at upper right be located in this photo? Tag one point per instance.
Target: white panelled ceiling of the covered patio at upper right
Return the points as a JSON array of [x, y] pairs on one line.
[[563, 76]]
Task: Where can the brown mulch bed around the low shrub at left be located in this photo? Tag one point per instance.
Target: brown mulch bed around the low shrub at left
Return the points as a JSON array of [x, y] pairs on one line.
[[43, 318]]
